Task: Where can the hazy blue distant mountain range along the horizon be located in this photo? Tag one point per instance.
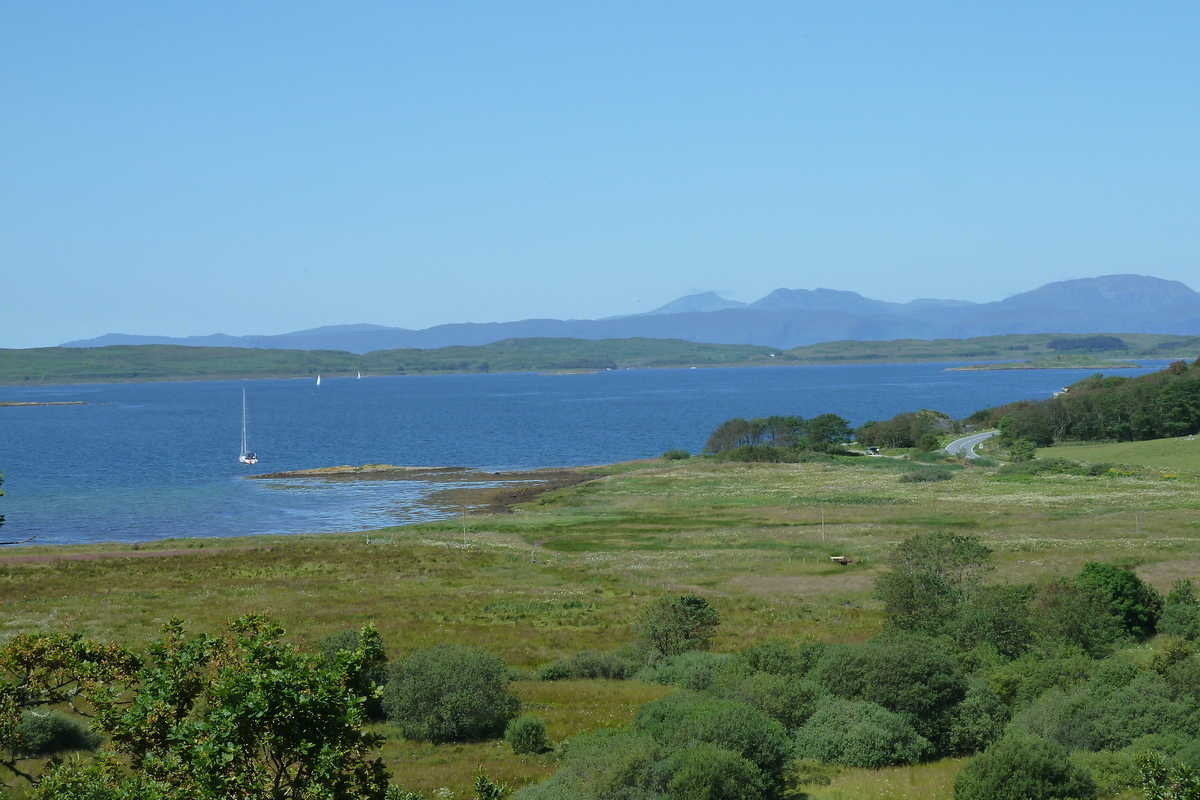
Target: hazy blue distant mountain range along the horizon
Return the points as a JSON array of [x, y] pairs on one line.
[[785, 318]]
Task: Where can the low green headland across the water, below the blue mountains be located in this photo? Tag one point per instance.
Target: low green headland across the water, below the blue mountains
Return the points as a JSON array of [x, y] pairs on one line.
[[158, 363]]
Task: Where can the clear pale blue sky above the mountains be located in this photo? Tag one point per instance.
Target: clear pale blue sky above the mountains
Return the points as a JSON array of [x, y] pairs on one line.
[[182, 169]]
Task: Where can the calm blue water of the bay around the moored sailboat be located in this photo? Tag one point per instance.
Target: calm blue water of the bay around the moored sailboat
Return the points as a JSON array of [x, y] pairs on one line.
[[153, 461]]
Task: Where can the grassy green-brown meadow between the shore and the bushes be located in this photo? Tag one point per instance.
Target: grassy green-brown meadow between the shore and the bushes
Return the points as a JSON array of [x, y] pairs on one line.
[[573, 569]]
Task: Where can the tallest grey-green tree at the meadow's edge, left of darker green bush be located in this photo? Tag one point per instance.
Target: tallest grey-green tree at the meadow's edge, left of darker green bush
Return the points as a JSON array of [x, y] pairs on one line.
[[929, 578]]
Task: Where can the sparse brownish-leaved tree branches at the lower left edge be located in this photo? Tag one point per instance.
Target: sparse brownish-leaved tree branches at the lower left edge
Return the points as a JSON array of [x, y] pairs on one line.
[[44, 671]]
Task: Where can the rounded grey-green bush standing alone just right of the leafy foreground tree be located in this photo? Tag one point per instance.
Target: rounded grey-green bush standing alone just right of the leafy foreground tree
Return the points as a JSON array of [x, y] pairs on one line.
[[449, 694]]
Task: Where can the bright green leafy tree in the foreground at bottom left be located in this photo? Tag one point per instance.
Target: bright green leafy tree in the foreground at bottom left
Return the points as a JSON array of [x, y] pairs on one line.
[[245, 717]]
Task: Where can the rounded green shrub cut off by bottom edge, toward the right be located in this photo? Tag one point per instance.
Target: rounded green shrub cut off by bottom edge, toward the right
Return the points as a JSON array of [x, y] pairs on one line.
[[1023, 768]]
